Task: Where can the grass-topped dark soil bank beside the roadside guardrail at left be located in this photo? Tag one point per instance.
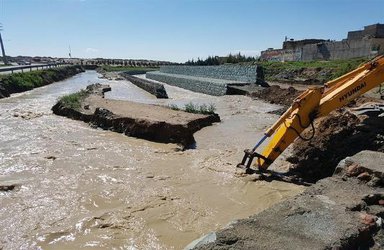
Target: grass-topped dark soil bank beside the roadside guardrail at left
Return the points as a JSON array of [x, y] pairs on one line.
[[20, 82]]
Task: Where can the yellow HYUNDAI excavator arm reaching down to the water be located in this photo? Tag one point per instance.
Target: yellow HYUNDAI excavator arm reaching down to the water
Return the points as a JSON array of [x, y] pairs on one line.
[[311, 104]]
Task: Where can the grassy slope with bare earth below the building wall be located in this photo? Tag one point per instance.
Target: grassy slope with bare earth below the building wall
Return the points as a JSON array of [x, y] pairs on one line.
[[317, 71]]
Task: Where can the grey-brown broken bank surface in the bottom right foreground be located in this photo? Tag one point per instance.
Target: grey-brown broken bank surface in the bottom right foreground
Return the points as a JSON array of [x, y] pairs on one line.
[[344, 211]]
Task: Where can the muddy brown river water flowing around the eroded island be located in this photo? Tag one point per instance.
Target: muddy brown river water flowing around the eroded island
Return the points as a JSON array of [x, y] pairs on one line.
[[80, 187]]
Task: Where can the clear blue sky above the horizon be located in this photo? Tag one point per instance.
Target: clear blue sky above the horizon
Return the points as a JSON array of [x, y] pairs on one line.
[[174, 30]]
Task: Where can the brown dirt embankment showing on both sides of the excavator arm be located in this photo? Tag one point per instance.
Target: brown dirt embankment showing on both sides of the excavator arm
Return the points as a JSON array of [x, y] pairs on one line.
[[340, 134]]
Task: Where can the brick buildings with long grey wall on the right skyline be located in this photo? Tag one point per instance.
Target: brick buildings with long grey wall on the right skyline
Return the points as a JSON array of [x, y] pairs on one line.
[[359, 43]]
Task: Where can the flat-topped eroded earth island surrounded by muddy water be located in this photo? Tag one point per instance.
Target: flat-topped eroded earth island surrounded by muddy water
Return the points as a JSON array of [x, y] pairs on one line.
[[150, 122]]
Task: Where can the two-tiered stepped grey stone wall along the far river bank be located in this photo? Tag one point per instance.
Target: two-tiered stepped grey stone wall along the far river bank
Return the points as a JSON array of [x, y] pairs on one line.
[[212, 80]]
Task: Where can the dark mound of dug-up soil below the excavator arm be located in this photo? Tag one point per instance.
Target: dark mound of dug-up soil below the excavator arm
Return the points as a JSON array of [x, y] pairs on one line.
[[337, 136]]
